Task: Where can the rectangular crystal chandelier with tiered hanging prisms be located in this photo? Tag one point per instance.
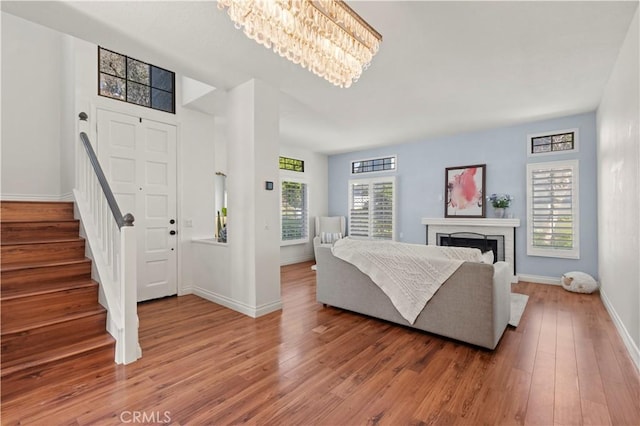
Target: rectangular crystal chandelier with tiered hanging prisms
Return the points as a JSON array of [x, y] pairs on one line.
[[325, 36]]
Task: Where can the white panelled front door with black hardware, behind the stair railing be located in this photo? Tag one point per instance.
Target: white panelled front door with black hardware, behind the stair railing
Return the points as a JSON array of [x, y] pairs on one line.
[[139, 160]]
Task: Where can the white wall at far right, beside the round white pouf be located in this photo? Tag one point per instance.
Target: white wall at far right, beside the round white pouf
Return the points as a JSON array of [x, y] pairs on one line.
[[618, 126]]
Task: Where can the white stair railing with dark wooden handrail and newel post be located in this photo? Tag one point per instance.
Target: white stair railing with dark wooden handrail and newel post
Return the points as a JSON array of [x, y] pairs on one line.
[[112, 241]]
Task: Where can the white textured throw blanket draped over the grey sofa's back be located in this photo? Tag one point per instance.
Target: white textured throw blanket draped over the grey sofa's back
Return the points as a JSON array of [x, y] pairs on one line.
[[409, 274]]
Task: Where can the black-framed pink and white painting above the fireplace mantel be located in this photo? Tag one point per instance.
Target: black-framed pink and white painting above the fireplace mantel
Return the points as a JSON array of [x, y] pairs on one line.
[[464, 187]]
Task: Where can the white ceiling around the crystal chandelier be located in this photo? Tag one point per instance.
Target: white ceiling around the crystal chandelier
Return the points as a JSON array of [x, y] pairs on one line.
[[443, 67]]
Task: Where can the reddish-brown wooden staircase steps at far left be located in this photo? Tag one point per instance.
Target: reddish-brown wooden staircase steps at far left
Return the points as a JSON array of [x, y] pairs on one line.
[[50, 311]]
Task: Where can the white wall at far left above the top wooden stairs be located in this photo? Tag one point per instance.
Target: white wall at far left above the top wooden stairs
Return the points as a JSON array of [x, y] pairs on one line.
[[32, 93]]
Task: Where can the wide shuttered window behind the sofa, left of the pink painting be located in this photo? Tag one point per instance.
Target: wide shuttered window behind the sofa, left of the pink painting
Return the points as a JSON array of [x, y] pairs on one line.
[[372, 208]]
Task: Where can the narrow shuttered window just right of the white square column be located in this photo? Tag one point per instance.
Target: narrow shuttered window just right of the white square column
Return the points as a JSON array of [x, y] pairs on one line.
[[294, 212]]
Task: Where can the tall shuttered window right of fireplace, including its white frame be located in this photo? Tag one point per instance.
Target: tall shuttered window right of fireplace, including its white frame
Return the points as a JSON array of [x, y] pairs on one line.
[[552, 209]]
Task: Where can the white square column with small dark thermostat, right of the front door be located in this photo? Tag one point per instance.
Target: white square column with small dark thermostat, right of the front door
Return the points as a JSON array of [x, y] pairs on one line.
[[253, 217]]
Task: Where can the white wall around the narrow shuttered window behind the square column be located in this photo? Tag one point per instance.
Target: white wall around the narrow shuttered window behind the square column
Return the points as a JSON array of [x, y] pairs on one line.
[[315, 174]]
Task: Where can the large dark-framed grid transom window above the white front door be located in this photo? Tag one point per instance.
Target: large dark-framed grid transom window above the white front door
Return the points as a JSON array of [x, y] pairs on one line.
[[136, 82]]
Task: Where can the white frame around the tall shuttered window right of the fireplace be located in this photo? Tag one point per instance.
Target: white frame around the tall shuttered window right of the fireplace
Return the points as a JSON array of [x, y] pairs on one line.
[[575, 211]]
